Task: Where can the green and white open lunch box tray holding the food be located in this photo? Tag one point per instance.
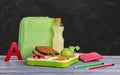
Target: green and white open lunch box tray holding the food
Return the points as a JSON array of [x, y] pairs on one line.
[[51, 63]]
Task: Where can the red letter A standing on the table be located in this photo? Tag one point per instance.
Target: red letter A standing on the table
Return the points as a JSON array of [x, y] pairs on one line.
[[13, 51]]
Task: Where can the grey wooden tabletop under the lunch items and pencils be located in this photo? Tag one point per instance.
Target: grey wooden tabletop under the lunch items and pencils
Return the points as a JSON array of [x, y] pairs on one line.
[[20, 68]]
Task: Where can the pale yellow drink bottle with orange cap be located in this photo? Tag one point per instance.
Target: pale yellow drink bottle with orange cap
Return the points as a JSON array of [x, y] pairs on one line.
[[58, 40]]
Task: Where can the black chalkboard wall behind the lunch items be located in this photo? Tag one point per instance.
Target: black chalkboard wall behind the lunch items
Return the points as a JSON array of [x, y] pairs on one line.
[[91, 24]]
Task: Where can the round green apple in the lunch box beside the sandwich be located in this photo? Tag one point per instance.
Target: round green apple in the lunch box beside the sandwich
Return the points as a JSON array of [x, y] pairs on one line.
[[67, 52]]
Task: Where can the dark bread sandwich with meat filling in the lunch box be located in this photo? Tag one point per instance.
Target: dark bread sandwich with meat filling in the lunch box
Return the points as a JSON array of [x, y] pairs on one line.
[[44, 52]]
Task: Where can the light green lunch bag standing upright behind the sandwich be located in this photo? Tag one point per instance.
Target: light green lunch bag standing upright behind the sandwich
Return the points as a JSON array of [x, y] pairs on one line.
[[35, 31]]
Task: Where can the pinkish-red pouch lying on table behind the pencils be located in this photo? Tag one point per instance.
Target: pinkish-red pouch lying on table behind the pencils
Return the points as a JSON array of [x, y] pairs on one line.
[[90, 56]]
